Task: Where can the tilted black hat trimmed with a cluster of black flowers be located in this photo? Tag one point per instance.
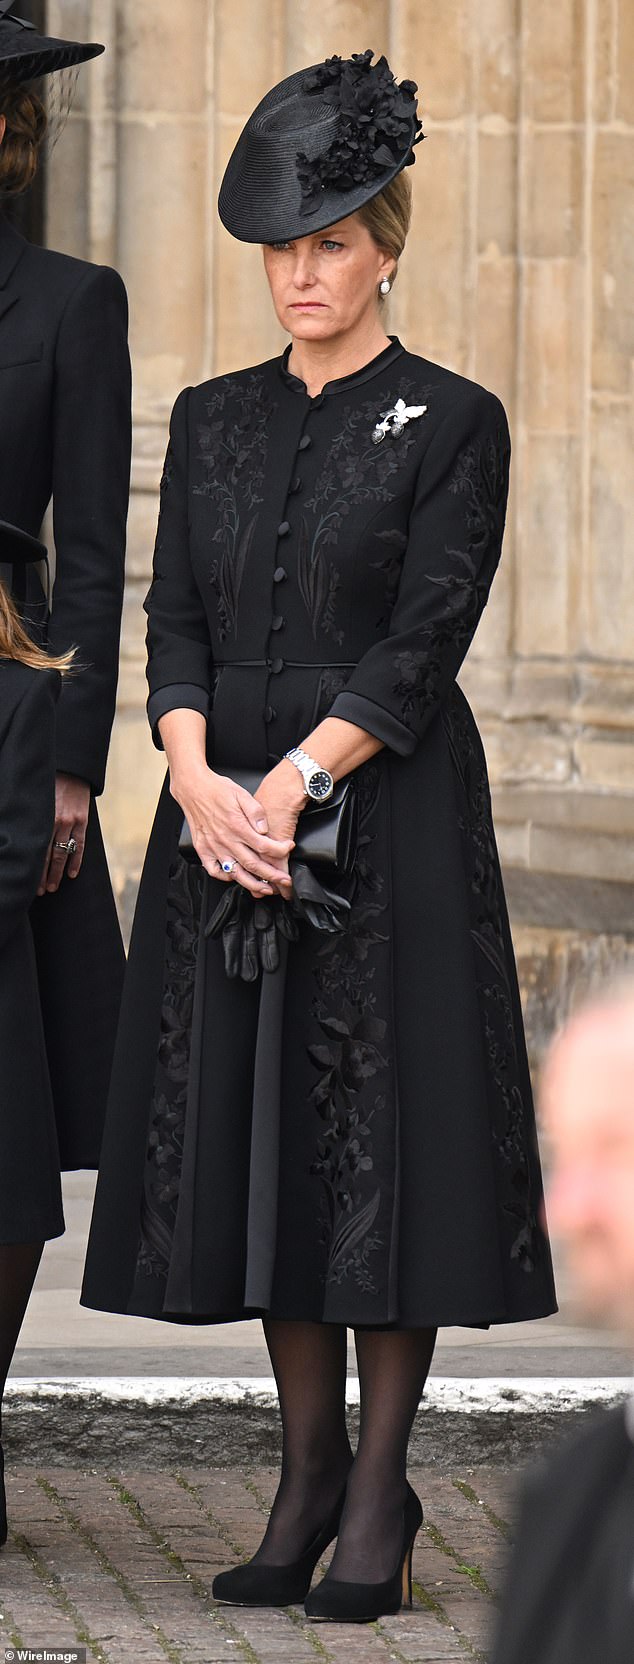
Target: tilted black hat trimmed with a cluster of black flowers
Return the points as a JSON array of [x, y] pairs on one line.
[[317, 149]]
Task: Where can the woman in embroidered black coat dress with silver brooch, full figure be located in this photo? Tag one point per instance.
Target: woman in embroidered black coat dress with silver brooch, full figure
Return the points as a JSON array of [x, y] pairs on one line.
[[347, 1136]]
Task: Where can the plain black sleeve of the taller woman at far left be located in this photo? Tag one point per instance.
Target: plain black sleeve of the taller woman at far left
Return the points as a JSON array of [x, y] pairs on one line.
[[92, 443]]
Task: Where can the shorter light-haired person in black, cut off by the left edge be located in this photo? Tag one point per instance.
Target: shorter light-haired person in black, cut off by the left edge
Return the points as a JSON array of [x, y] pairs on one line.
[[31, 1194]]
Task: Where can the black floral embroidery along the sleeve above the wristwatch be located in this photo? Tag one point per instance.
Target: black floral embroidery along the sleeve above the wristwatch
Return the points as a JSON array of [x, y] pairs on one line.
[[480, 478]]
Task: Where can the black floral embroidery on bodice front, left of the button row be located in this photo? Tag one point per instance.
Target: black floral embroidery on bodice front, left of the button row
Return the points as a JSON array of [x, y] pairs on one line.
[[232, 448]]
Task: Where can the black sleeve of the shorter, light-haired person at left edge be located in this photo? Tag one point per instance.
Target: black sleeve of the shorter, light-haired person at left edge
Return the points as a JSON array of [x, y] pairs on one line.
[[27, 798]]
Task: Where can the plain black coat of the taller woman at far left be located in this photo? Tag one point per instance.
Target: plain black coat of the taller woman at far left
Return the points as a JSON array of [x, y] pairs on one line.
[[66, 437]]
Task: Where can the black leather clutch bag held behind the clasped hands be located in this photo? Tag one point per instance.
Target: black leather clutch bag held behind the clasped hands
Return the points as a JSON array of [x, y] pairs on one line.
[[325, 834]]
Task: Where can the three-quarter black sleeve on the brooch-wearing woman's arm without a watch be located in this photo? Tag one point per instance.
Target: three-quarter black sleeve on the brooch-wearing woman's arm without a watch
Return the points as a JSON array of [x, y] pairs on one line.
[[179, 636]]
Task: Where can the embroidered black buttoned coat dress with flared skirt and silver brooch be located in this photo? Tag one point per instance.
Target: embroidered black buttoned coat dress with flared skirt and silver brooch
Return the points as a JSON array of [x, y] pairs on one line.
[[350, 1139]]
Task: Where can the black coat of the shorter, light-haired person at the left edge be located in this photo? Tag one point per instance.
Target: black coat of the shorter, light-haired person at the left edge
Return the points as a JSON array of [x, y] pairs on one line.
[[31, 1196]]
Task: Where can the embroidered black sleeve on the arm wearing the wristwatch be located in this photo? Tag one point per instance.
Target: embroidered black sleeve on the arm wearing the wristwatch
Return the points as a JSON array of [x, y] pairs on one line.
[[455, 542]]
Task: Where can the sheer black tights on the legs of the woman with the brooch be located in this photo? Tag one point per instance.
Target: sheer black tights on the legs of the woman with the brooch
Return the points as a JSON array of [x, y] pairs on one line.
[[310, 1370]]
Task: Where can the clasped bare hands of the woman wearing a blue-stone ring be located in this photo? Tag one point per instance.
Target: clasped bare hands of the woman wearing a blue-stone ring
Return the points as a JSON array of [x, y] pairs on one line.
[[257, 833]]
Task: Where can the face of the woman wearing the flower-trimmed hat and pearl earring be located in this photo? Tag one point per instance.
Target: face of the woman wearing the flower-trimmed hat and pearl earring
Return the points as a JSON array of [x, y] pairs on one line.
[[325, 284]]
